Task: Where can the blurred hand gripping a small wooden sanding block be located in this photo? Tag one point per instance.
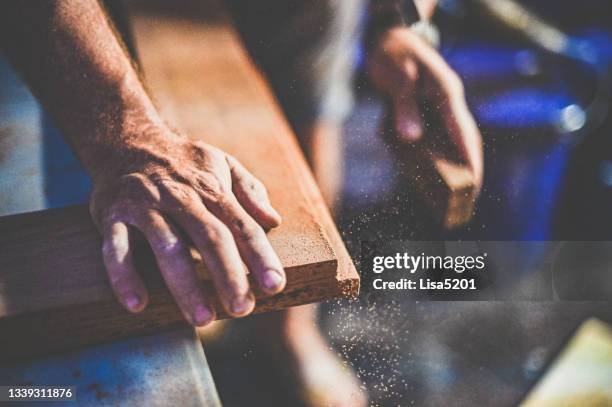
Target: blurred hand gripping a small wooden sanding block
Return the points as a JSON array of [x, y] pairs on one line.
[[410, 72]]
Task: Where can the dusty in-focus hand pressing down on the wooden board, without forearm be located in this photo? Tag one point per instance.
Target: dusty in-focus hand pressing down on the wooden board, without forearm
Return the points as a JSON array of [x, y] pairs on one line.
[[169, 188]]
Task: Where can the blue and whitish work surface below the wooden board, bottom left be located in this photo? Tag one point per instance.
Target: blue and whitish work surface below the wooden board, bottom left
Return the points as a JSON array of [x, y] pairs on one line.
[[160, 370]]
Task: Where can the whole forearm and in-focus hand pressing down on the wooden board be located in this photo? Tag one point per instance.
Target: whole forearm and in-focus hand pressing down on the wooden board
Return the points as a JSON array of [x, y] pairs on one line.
[[146, 177]]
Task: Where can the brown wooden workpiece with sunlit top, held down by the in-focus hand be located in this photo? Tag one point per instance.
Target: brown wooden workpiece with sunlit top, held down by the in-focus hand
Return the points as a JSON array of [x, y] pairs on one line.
[[53, 289]]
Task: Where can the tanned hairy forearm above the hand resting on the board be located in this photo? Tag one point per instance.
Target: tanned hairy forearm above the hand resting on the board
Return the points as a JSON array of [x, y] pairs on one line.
[[76, 65]]
